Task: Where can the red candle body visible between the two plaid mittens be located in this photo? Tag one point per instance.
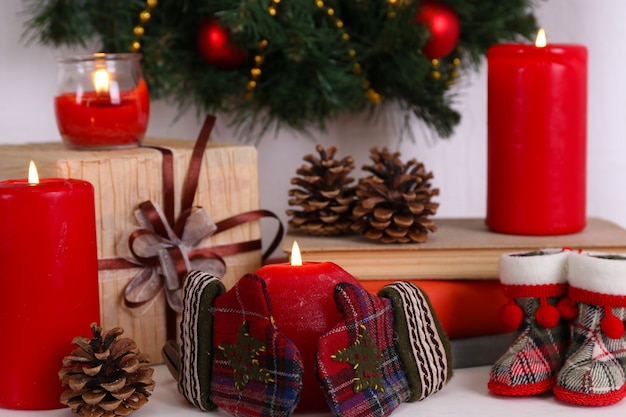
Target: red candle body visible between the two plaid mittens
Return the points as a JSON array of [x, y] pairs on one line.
[[303, 307]]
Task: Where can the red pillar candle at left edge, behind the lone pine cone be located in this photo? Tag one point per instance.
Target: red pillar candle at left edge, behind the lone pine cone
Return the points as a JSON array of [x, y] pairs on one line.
[[48, 285]]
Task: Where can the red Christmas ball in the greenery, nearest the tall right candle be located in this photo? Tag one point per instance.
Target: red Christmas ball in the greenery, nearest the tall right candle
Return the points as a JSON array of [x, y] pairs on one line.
[[444, 27]]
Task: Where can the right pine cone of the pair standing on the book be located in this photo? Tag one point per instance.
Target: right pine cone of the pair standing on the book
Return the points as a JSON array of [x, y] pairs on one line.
[[393, 205]]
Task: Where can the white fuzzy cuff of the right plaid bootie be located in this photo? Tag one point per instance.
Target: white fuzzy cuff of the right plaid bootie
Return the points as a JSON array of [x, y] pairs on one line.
[[598, 272]]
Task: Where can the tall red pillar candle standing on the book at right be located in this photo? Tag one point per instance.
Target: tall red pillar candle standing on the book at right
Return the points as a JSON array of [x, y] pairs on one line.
[[537, 134]]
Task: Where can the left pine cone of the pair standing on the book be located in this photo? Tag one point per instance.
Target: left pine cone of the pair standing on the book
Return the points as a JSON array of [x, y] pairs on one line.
[[326, 196]]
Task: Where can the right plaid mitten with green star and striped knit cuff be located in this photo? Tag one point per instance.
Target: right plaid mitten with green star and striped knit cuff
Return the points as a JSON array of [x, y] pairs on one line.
[[358, 361]]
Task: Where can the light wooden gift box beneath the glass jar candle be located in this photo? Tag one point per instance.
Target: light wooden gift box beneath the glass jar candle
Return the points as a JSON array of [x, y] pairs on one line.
[[227, 186]]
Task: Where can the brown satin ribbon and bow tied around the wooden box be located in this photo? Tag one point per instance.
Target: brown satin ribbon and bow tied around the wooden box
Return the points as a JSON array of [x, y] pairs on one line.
[[160, 230]]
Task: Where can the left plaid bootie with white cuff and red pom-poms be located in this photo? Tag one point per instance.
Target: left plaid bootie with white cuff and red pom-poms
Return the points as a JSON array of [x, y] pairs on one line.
[[536, 283]]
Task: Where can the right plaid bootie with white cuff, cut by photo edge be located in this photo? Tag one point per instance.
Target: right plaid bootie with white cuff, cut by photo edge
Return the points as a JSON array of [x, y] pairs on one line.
[[593, 373]]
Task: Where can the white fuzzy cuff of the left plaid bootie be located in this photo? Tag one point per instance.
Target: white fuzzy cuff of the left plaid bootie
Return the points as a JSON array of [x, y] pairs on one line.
[[548, 266]]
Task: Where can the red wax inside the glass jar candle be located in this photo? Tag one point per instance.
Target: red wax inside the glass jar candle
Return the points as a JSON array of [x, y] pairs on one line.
[[91, 119]]
